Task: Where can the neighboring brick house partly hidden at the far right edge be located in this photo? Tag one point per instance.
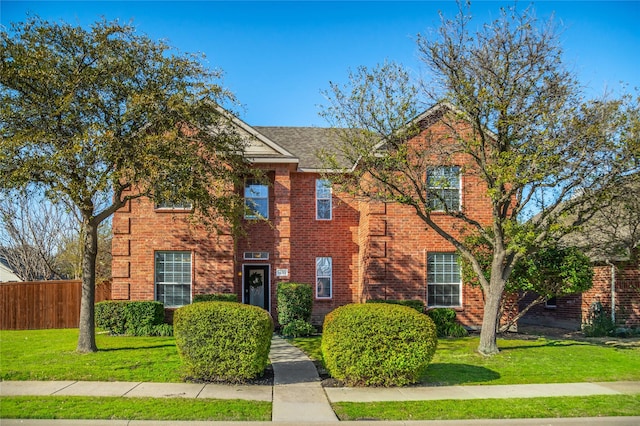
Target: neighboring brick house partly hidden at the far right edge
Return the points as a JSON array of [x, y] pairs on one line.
[[611, 239]]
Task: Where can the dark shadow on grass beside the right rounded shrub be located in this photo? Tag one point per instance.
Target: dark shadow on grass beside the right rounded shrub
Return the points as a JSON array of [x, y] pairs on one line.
[[448, 374]]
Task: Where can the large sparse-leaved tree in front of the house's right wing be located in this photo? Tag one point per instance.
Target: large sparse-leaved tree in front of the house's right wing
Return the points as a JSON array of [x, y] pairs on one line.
[[531, 137]]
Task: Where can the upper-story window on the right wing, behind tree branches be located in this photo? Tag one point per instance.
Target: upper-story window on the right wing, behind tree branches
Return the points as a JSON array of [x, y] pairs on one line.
[[443, 185]]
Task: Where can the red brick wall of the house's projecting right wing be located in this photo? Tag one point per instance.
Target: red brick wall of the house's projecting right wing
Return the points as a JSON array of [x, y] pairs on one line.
[[395, 241]]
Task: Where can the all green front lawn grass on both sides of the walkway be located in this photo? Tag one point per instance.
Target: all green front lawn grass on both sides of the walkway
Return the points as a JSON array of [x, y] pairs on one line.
[[50, 355]]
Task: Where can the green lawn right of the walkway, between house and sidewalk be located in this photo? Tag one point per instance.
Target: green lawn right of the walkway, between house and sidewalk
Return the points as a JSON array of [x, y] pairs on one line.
[[542, 360]]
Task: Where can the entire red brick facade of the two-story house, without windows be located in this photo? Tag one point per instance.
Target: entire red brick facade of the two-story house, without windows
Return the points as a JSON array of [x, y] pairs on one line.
[[378, 250]]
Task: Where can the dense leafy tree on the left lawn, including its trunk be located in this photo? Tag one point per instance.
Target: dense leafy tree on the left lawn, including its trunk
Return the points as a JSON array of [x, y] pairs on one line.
[[99, 116]]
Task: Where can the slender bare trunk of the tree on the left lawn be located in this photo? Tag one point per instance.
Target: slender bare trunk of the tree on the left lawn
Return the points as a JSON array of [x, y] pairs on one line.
[[87, 335]]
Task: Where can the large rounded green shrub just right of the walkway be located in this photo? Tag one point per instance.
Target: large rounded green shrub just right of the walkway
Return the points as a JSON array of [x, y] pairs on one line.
[[377, 344]]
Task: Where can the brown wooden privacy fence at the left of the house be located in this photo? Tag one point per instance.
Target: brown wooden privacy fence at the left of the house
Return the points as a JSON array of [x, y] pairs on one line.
[[43, 304]]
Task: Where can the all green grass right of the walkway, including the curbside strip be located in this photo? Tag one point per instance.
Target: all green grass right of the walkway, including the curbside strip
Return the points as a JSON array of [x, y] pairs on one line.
[[520, 361]]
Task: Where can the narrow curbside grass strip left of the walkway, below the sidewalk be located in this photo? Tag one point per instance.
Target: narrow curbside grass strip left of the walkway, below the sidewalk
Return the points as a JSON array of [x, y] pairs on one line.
[[111, 408]]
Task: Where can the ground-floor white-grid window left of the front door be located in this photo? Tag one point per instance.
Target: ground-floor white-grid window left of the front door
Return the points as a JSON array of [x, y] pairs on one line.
[[173, 278]]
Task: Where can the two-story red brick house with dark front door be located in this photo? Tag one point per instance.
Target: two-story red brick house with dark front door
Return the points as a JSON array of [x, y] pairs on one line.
[[349, 250]]
